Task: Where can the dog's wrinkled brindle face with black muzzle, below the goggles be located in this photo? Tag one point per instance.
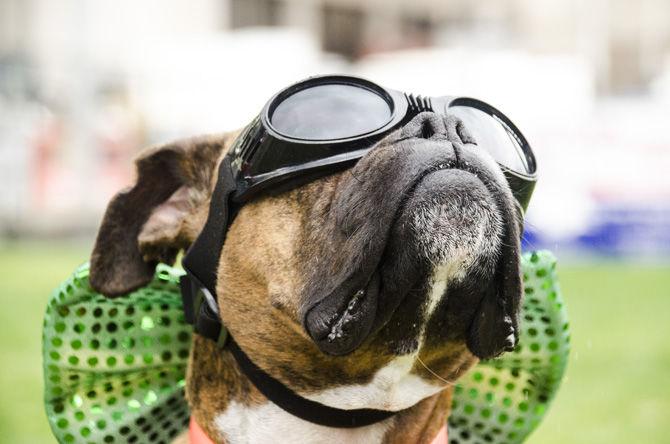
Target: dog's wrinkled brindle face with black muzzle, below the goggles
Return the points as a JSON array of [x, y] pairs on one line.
[[412, 253]]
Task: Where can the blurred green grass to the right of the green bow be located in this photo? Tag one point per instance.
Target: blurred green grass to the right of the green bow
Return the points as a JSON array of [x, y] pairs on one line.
[[617, 385]]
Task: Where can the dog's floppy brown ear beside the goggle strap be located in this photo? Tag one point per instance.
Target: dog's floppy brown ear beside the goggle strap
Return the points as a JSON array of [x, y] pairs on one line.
[[159, 215]]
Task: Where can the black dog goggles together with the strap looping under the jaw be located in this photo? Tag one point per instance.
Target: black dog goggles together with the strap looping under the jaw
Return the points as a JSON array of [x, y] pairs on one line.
[[308, 130]]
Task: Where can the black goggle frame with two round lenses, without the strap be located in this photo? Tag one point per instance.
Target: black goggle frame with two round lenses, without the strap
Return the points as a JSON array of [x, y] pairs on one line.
[[323, 124]]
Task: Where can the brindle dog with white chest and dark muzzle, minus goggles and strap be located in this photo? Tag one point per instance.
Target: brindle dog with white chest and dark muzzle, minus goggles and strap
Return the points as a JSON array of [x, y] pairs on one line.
[[424, 224]]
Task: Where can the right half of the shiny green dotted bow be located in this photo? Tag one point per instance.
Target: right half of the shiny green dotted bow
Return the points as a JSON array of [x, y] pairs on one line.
[[503, 400]]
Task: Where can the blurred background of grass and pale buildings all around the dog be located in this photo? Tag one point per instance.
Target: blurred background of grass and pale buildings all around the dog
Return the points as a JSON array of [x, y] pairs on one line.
[[85, 85]]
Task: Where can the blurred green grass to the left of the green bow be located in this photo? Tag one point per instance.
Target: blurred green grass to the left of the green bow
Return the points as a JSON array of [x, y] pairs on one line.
[[29, 273]]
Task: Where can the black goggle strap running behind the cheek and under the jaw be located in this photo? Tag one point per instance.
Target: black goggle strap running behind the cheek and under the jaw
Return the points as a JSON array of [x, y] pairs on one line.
[[198, 288]]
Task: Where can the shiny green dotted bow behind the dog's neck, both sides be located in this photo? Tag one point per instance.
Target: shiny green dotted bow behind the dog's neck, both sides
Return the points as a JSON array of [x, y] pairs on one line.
[[114, 369]]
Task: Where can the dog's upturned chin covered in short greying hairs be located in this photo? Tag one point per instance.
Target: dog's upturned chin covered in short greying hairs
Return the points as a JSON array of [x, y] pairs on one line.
[[450, 220]]
